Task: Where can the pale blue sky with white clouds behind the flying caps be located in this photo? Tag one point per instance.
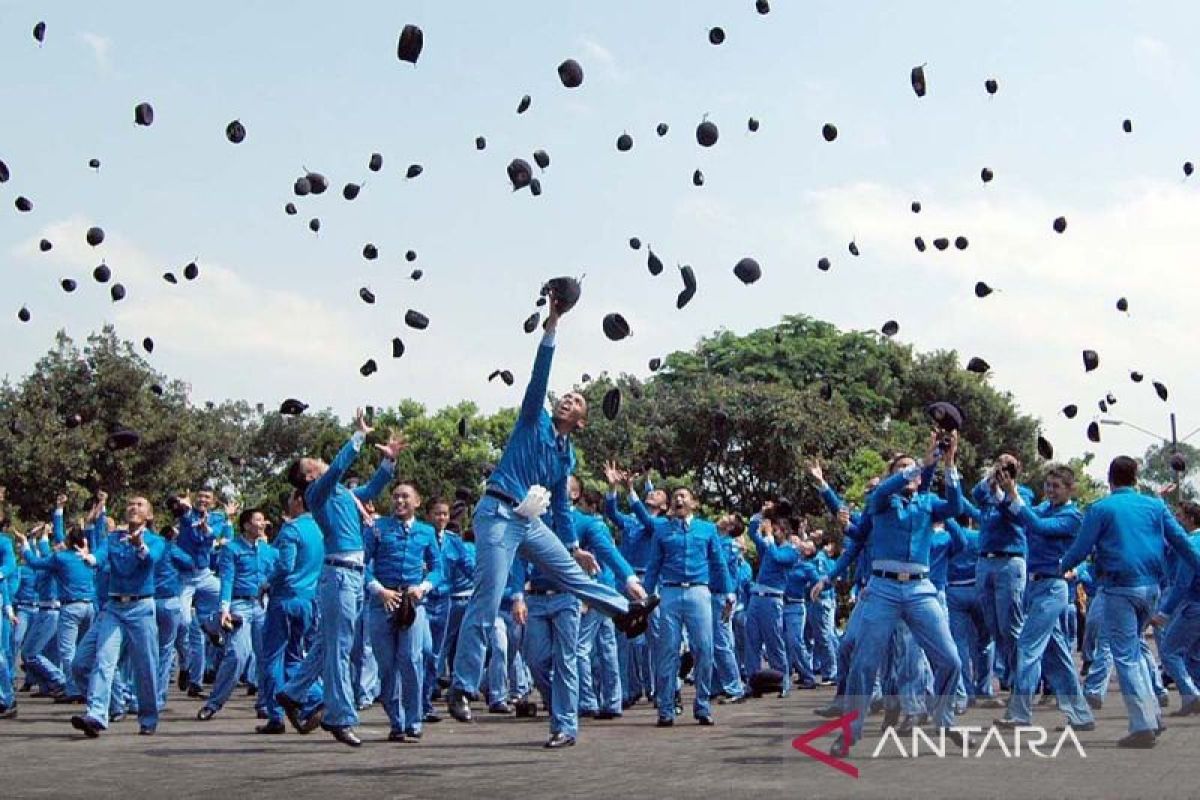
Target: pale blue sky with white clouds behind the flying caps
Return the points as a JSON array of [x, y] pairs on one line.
[[277, 310]]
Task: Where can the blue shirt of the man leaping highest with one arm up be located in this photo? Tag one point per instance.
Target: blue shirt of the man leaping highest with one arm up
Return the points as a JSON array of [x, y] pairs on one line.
[[536, 454]]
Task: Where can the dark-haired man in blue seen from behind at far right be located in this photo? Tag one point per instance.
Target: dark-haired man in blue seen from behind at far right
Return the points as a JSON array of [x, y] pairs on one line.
[[1130, 533]]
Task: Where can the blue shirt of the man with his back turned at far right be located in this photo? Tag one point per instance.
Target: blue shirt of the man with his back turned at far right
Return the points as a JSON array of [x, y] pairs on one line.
[[1130, 533]]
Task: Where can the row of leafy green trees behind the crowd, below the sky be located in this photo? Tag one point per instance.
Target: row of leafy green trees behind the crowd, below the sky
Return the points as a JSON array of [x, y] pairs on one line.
[[736, 418]]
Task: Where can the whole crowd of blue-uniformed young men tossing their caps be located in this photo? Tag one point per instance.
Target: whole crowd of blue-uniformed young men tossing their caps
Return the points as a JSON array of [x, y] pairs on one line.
[[593, 603]]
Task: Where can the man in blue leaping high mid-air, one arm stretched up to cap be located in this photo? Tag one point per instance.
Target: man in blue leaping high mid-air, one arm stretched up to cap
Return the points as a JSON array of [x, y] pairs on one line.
[[530, 480]]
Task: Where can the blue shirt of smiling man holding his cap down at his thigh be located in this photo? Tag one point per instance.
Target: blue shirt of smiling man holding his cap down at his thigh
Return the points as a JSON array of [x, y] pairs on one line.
[[401, 555]]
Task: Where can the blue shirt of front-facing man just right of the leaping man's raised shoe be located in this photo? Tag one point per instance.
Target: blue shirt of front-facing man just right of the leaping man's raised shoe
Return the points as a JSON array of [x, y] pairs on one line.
[[688, 552]]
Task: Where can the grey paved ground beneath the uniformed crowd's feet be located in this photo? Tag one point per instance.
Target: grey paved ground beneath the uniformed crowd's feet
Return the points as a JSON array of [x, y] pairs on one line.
[[748, 755]]
